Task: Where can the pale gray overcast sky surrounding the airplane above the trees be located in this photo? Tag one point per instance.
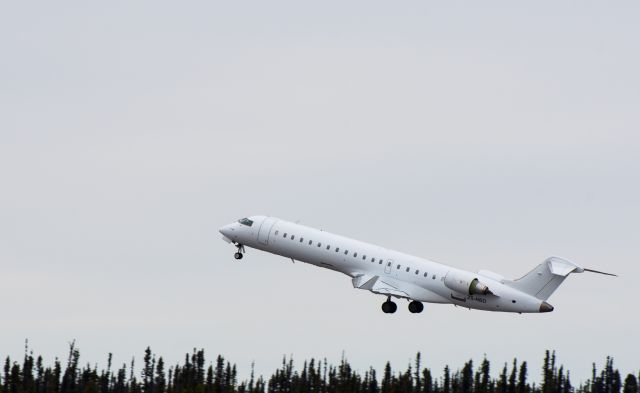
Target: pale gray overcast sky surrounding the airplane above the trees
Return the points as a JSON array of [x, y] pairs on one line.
[[485, 136]]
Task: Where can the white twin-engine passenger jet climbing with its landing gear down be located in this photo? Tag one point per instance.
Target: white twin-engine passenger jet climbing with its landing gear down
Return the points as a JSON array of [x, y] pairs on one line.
[[394, 274]]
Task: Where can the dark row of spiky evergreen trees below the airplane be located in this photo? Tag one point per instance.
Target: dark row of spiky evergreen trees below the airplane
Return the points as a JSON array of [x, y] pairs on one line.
[[196, 375]]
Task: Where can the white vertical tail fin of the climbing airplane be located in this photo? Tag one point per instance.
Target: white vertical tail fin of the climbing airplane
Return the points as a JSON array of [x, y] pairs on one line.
[[542, 281]]
